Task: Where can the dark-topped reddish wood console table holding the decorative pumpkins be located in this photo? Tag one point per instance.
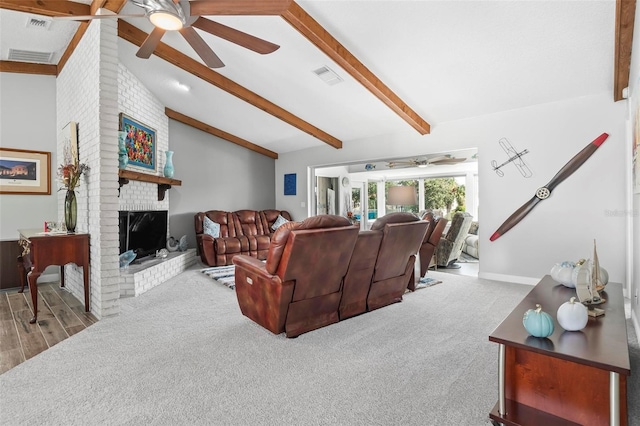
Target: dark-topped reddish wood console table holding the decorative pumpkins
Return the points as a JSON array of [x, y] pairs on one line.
[[571, 377]]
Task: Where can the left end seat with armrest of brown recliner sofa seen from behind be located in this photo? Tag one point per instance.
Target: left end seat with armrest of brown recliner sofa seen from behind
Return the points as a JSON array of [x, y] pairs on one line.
[[299, 287]]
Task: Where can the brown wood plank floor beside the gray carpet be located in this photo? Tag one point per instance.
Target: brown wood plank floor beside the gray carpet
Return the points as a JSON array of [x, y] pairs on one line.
[[60, 315]]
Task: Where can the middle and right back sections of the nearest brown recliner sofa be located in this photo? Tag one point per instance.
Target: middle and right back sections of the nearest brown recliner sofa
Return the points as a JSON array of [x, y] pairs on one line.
[[382, 263]]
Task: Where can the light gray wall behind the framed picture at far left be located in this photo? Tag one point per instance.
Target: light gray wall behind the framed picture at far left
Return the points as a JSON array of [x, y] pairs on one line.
[[28, 121]]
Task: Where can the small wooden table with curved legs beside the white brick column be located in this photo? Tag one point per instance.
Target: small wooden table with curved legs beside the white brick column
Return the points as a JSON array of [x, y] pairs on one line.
[[44, 249]]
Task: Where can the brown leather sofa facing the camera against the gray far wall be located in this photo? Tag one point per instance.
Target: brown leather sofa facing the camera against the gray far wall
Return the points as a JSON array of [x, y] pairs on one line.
[[245, 232]]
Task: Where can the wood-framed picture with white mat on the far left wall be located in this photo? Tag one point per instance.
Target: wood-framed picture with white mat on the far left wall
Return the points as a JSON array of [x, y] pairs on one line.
[[25, 172]]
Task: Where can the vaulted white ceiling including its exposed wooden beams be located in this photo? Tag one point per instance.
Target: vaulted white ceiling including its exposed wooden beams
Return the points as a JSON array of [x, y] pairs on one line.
[[404, 65]]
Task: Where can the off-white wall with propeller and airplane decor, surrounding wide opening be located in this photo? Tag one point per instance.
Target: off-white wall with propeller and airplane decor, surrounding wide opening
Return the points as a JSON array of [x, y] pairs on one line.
[[560, 228]]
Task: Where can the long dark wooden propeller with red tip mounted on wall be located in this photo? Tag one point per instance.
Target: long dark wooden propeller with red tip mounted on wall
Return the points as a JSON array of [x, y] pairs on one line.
[[544, 192]]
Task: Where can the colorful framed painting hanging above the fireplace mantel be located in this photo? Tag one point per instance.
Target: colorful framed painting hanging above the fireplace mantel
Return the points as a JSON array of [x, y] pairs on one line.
[[140, 142]]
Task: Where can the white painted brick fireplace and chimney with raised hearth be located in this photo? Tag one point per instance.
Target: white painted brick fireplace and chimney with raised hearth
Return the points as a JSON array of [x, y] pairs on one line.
[[92, 89]]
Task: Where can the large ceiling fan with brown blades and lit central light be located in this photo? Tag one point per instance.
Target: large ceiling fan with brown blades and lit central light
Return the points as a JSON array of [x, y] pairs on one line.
[[183, 16]]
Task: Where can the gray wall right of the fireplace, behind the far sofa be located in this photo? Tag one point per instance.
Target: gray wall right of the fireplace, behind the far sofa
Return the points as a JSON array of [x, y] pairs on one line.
[[215, 175]]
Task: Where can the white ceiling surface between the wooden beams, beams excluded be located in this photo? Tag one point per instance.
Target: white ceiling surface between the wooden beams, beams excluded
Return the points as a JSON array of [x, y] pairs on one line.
[[448, 60]]
